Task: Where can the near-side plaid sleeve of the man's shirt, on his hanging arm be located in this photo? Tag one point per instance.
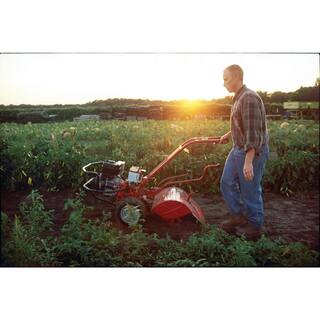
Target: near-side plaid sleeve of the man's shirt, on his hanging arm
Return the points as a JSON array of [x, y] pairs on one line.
[[252, 122]]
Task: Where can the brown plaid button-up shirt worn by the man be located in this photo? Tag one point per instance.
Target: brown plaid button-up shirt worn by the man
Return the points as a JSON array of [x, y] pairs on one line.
[[248, 120]]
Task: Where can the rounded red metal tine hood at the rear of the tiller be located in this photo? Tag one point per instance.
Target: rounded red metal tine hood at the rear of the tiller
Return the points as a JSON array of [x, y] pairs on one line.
[[173, 203]]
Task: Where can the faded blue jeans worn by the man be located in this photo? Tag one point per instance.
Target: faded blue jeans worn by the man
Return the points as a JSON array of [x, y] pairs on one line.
[[240, 195]]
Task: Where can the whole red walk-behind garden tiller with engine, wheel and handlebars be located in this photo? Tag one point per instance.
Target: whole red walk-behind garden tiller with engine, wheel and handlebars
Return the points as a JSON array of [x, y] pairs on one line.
[[133, 198]]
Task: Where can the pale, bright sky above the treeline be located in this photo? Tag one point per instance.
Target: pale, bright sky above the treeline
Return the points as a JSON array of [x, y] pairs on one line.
[[79, 78]]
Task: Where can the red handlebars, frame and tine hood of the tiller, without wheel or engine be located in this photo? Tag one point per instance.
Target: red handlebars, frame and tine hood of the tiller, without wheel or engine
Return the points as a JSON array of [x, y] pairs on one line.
[[165, 200]]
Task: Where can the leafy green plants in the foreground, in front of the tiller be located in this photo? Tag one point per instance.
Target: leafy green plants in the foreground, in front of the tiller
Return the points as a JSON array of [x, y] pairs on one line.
[[30, 240]]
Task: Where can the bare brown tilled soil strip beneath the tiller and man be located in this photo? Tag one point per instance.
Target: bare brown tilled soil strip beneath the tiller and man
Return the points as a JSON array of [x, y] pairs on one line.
[[292, 219]]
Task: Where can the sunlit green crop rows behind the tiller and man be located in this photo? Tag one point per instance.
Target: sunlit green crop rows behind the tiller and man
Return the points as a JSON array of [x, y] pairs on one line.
[[52, 154]]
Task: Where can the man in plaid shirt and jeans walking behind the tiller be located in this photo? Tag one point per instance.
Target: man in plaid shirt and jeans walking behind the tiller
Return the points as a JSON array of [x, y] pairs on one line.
[[242, 174]]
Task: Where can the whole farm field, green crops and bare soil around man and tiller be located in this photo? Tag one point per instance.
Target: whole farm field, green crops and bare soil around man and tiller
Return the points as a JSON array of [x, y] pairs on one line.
[[49, 157]]
